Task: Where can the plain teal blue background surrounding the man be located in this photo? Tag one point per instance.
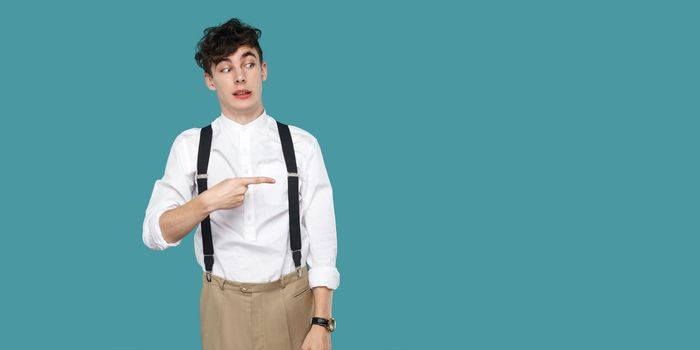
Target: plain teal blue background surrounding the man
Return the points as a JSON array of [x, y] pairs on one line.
[[507, 175]]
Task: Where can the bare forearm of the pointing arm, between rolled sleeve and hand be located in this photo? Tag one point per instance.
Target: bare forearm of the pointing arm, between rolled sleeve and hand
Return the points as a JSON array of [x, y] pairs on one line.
[[176, 223]]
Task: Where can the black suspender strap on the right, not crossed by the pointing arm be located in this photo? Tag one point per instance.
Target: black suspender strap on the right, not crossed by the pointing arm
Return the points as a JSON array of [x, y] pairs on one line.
[[293, 192]]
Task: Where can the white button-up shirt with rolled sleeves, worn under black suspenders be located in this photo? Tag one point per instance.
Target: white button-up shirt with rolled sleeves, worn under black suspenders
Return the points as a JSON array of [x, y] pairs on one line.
[[251, 242]]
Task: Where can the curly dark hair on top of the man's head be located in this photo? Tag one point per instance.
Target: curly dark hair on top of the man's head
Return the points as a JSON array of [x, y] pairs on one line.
[[221, 41]]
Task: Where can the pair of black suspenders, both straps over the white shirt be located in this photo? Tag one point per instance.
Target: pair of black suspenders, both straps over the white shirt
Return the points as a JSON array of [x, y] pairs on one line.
[[293, 194]]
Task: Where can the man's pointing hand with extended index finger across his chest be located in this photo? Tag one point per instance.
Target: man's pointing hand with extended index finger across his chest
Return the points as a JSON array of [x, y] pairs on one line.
[[230, 192]]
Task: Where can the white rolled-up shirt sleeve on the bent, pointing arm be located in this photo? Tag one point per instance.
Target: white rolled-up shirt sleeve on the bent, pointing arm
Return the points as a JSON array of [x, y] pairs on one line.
[[171, 191]]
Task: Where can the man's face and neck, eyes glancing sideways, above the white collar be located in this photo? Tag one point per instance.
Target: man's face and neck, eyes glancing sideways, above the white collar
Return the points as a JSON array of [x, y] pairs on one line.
[[242, 70]]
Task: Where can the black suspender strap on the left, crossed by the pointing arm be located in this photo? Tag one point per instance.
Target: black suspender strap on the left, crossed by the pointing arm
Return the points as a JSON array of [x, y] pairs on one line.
[[202, 165]]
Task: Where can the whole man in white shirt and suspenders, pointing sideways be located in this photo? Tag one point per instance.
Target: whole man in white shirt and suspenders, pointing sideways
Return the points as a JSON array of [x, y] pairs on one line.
[[258, 192]]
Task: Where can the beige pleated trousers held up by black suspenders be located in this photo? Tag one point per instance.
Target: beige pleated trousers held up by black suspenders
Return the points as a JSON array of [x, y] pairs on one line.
[[256, 316]]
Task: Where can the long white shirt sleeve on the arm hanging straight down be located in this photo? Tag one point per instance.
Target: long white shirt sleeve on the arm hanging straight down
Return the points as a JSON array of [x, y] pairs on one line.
[[318, 216]]
